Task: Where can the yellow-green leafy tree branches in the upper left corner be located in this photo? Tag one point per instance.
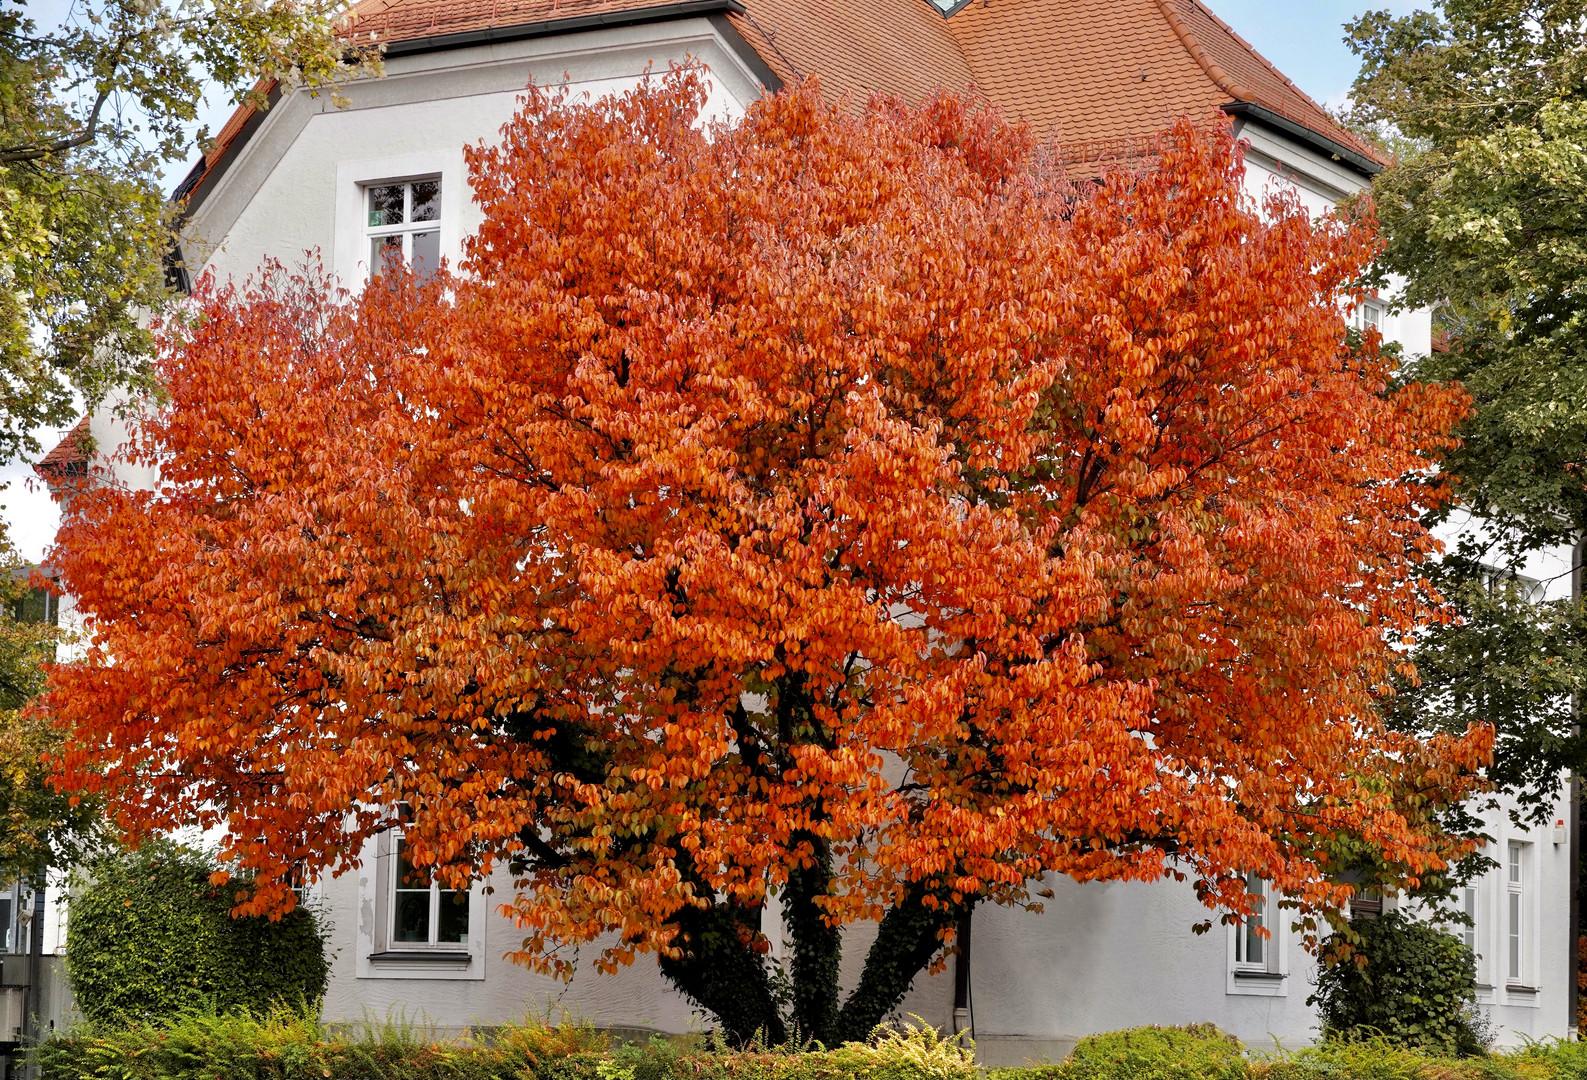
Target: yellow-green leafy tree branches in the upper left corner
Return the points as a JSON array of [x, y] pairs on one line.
[[90, 112]]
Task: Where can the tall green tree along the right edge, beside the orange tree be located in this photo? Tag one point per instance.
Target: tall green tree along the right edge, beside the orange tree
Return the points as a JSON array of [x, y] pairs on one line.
[[1486, 220]]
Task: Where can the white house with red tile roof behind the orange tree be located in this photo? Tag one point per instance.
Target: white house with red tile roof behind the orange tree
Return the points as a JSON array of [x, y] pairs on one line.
[[1097, 79]]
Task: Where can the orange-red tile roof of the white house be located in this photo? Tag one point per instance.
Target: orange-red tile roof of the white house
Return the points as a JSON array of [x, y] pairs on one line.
[[1097, 77]]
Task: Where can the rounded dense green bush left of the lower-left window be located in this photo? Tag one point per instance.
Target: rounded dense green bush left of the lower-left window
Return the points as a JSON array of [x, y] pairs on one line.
[[152, 938]]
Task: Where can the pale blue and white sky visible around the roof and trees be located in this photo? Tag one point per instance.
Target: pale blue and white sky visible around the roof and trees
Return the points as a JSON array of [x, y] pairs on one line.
[[1304, 39]]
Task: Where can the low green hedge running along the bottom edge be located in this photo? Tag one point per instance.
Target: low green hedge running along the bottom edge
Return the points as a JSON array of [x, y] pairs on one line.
[[285, 1046]]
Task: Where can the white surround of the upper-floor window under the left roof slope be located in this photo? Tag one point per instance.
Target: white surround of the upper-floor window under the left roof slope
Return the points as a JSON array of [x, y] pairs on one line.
[[352, 250]]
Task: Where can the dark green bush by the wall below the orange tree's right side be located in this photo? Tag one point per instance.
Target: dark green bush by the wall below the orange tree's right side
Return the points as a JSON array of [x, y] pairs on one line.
[[1408, 982]]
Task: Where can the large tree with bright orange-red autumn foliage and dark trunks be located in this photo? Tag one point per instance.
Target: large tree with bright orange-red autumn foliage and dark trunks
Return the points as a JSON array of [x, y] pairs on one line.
[[829, 505]]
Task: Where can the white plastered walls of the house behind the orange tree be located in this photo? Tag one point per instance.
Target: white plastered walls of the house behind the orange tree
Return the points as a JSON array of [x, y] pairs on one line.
[[1102, 956]]
